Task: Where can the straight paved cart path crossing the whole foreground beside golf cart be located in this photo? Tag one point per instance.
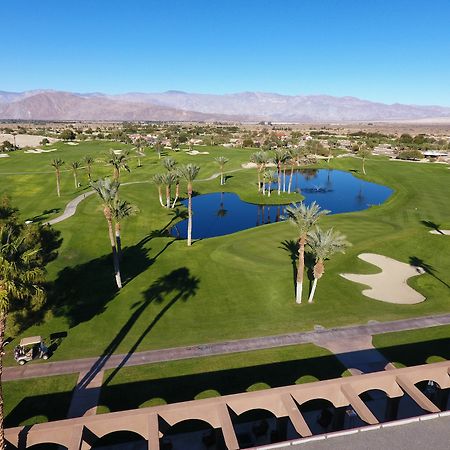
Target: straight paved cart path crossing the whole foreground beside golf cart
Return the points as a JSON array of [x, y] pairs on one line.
[[92, 366]]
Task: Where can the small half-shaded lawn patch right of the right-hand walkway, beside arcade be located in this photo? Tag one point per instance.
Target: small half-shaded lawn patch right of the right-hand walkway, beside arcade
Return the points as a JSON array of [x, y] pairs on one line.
[[411, 348]]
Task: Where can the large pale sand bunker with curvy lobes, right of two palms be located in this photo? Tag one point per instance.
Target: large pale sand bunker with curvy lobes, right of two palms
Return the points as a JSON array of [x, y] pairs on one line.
[[390, 285]]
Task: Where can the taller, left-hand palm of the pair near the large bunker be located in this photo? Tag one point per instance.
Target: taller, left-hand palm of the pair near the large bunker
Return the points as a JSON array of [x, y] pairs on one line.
[[304, 218]]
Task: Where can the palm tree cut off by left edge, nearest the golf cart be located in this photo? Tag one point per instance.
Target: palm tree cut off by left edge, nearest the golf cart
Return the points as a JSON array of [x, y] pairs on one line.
[[21, 279]]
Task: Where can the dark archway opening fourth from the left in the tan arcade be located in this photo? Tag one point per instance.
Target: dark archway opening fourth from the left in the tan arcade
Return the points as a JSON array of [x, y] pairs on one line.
[[261, 427]]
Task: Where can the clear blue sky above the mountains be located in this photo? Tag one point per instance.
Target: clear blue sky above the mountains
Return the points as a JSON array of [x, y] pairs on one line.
[[382, 50]]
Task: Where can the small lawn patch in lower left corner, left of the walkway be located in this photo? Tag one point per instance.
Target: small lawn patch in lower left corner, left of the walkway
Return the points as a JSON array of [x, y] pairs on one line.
[[37, 400]]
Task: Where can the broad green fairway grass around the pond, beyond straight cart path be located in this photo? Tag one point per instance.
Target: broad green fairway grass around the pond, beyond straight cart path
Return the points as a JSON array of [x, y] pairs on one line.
[[228, 287]]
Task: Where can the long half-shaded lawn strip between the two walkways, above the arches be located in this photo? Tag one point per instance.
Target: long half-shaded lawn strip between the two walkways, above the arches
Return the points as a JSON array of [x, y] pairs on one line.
[[154, 384]]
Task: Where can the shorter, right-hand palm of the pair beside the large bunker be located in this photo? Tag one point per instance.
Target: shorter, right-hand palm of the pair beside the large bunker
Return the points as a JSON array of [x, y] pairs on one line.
[[324, 244]]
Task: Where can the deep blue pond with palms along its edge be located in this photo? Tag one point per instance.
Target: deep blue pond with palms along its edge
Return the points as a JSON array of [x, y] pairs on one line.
[[223, 213]]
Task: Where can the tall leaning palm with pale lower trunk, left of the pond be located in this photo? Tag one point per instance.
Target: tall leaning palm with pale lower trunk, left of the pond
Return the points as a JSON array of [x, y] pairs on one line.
[[108, 191]]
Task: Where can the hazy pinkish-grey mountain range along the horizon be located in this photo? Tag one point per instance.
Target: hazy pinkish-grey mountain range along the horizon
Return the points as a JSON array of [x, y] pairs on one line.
[[183, 106]]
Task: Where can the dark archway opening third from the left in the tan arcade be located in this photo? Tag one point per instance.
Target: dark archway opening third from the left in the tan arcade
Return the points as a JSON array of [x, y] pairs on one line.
[[193, 434]]
